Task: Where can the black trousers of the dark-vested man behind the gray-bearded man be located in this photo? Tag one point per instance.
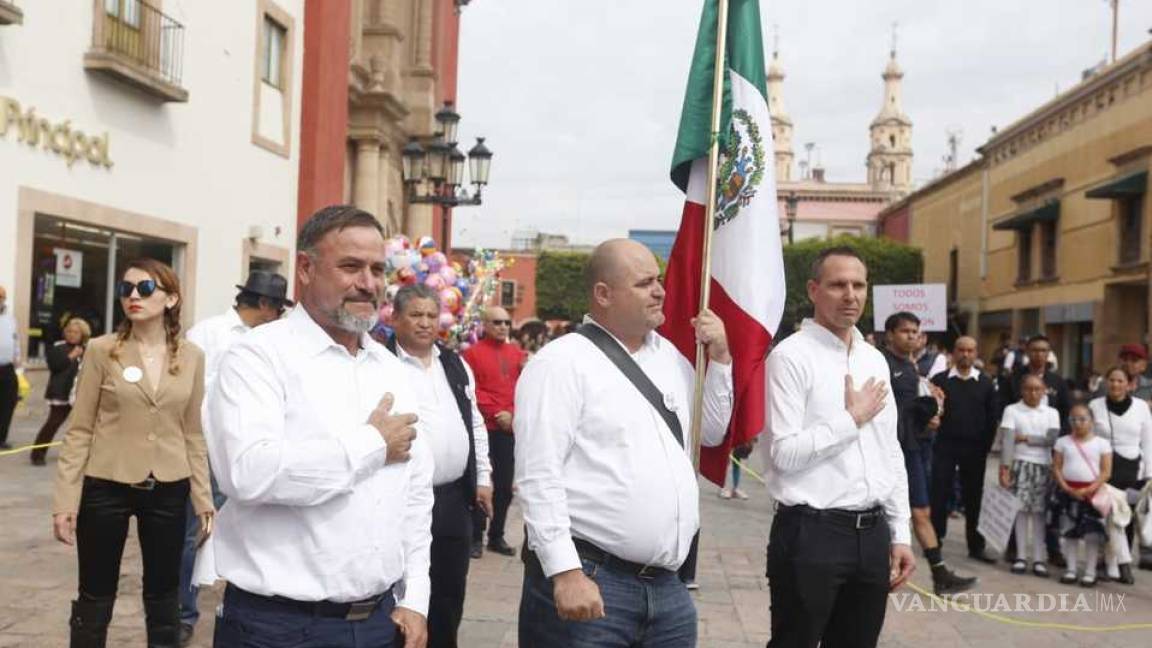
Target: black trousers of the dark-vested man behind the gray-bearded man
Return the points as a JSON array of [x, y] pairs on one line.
[[452, 536]]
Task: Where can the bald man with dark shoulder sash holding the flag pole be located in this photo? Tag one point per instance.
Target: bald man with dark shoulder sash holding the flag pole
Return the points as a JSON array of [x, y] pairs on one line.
[[604, 473]]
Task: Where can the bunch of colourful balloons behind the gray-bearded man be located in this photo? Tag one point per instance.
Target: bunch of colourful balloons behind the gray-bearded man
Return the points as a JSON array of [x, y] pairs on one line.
[[464, 291]]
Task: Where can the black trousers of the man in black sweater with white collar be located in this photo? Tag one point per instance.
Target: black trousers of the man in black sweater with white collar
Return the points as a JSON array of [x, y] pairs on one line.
[[971, 464]]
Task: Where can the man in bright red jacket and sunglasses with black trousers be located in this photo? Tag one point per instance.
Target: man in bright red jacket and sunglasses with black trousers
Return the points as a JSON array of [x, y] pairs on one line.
[[497, 363]]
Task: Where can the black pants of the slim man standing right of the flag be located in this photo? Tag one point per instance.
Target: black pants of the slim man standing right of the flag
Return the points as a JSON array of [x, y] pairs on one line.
[[829, 582]]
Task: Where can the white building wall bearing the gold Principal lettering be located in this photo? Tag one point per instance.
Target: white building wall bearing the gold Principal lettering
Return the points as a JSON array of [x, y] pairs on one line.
[[188, 171]]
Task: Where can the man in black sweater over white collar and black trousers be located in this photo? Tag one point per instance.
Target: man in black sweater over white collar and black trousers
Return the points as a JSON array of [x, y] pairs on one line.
[[965, 436]]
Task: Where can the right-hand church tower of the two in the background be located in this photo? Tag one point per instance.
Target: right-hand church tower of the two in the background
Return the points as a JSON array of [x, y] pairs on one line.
[[890, 162]]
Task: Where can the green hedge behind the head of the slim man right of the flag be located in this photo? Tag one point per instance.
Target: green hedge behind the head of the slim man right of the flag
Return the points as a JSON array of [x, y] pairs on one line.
[[888, 261]]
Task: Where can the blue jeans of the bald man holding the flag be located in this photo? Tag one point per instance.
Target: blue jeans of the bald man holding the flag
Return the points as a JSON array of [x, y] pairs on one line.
[[655, 613]]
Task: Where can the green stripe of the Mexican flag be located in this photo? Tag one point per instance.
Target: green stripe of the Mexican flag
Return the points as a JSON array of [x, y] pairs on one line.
[[746, 58]]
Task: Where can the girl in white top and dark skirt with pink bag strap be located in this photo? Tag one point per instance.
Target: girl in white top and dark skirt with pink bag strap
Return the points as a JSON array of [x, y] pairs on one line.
[[1082, 464]]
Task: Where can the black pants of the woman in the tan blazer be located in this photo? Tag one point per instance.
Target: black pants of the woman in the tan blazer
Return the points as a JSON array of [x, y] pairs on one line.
[[102, 529]]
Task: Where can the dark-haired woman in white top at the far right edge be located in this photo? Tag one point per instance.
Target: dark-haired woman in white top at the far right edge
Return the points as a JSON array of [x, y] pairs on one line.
[[1127, 424]]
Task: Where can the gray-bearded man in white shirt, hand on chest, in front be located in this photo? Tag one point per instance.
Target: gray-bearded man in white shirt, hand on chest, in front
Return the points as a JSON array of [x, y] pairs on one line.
[[325, 538]]
